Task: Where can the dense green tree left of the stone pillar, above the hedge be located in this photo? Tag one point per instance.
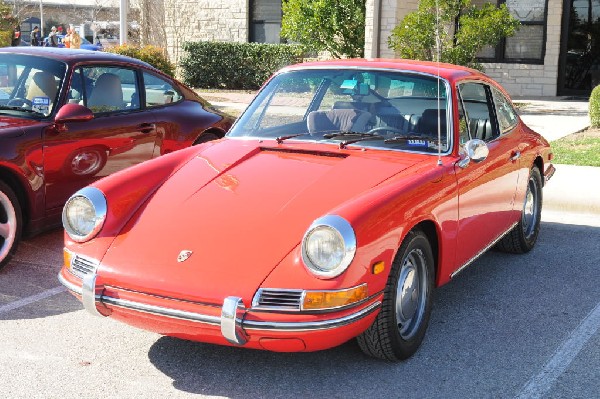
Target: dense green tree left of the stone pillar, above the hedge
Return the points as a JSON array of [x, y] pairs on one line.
[[336, 26]]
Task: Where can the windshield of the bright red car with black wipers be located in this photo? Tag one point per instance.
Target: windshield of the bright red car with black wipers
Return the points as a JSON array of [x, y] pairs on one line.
[[370, 108]]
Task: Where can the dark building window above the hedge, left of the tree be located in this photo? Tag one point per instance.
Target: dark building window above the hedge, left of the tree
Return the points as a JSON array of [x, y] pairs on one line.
[[265, 21]]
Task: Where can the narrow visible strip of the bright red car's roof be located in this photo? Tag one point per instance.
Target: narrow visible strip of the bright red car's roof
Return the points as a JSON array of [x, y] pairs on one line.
[[447, 71]]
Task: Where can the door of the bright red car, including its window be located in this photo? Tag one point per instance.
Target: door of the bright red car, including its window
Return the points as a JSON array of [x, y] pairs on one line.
[[486, 189]]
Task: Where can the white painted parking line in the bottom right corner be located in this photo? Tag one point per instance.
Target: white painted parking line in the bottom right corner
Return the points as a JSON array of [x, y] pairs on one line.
[[537, 386]]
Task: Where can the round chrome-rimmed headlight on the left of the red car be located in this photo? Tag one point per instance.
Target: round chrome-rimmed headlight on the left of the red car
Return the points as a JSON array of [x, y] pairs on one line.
[[84, 214]]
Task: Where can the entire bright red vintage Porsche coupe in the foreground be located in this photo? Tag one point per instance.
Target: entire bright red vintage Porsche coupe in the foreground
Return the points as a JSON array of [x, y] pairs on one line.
[[341, 197]]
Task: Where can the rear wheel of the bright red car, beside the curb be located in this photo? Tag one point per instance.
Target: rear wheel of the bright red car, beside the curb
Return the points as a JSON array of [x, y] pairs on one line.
[[523, 236]]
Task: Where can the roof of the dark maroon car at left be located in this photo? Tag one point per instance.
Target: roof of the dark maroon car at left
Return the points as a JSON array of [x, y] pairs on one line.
[[72, 56]]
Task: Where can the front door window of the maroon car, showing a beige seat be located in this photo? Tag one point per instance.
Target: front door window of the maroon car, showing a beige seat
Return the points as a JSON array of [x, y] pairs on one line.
[[109, 89]]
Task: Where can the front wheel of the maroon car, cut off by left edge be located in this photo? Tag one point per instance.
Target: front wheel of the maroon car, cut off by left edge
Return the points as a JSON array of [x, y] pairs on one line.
[[11, 223]]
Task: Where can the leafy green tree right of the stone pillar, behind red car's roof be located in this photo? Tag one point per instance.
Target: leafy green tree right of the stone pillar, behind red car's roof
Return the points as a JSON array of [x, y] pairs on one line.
[[463, 31]]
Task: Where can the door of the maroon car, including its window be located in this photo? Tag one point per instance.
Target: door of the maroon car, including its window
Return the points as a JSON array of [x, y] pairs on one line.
[[120, 135]]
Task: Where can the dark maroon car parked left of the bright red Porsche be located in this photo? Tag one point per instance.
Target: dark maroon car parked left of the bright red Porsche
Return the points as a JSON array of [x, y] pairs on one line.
[[69, 117]]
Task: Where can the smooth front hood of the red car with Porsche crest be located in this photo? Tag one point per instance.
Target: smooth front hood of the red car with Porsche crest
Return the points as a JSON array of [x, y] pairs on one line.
[[240, 208]]
